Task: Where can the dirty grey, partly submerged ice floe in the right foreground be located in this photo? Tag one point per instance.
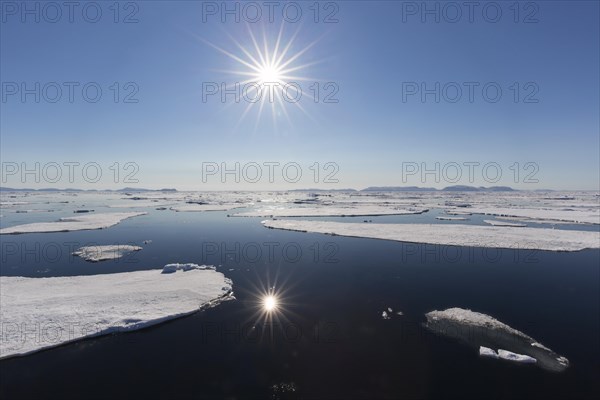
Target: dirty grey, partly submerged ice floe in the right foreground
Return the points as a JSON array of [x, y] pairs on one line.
[[486, 333]]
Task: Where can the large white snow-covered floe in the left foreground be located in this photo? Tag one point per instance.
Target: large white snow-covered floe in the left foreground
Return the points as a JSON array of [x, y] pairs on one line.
[[37, 313]]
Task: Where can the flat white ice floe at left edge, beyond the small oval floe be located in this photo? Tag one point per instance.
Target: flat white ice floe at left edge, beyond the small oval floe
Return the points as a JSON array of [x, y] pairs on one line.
[[78, 223]]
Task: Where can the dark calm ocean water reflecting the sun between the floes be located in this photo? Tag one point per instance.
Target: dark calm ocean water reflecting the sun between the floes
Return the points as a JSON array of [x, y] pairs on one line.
[[328, 339]]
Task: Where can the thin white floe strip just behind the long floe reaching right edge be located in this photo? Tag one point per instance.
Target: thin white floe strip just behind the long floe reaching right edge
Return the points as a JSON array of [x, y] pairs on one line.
[[330, 211]]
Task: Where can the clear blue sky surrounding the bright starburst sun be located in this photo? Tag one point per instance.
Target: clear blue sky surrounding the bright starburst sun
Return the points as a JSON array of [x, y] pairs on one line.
[[374, 53]]
